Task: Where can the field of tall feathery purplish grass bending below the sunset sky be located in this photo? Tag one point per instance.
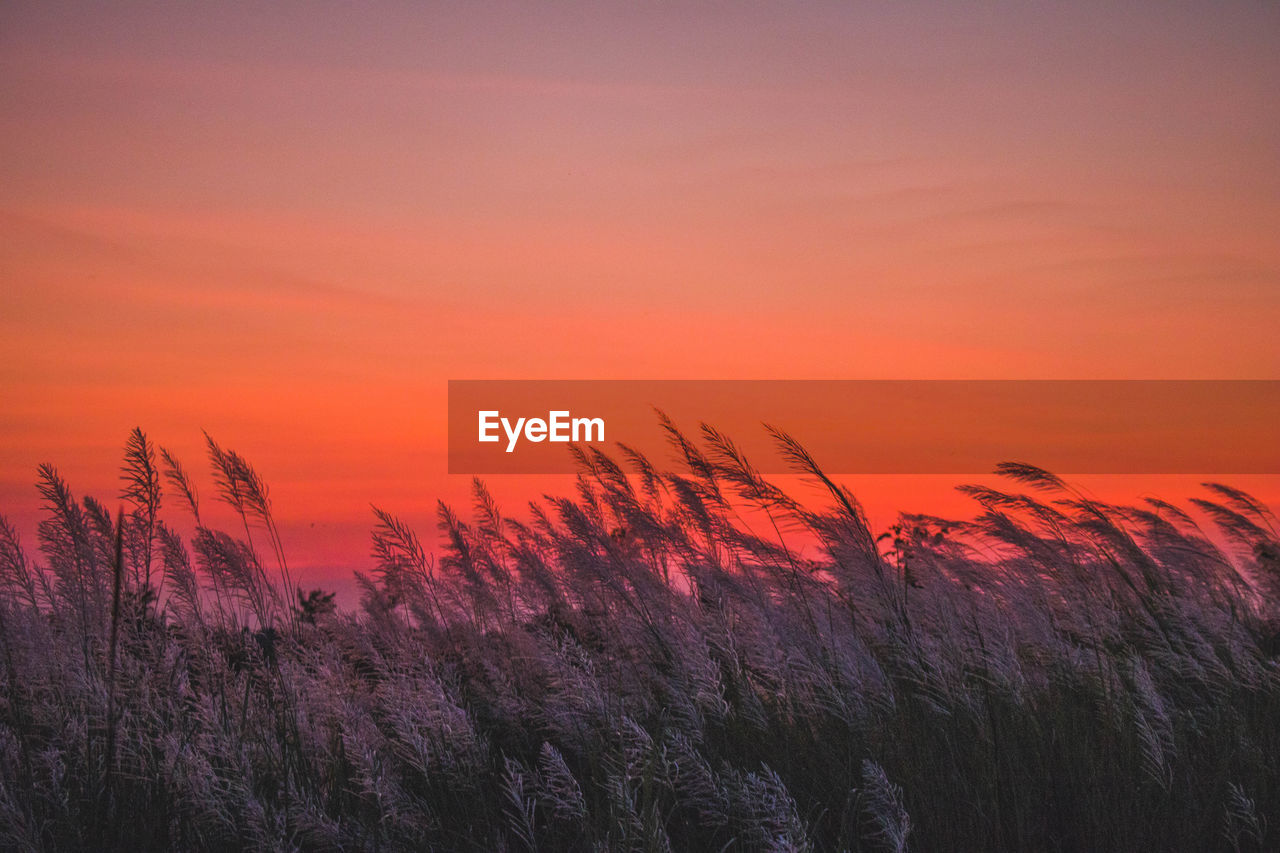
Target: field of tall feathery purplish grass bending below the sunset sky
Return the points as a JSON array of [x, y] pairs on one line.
[[688, 660]]
